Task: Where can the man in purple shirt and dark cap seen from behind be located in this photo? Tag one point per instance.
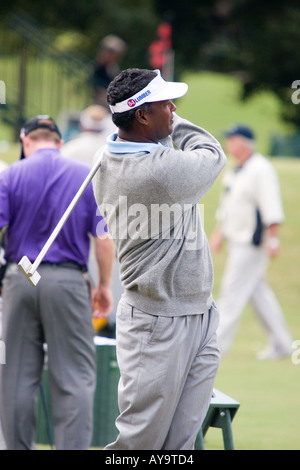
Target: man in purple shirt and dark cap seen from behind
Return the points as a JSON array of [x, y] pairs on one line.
[[34, 194]]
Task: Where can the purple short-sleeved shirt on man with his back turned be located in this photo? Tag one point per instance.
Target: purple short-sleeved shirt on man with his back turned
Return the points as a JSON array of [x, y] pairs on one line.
[[34, 194]]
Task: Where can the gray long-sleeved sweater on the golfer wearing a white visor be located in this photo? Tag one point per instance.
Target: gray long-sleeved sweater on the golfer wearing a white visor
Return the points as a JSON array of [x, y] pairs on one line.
[[148, 195]]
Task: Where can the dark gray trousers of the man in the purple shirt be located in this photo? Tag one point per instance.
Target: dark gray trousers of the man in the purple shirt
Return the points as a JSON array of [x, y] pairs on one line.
[[56, 312]]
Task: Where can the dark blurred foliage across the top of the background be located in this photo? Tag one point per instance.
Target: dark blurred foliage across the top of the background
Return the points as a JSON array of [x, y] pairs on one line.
[[255, 42]]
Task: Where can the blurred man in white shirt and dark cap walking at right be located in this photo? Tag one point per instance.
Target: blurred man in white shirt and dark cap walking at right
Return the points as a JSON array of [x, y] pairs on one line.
[[249, 217]]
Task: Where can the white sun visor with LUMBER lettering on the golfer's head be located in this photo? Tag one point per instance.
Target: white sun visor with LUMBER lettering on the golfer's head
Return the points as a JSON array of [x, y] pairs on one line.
[[157, 90]]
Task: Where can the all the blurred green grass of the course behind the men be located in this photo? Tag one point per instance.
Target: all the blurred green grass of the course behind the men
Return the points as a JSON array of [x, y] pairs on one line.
[[268, 392]]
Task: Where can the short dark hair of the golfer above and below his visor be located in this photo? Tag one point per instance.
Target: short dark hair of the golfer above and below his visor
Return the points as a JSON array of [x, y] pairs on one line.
[[125, 85]]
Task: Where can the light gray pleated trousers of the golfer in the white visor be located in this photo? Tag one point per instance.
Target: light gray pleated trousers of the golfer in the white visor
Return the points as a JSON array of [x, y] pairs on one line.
[[168, 367]]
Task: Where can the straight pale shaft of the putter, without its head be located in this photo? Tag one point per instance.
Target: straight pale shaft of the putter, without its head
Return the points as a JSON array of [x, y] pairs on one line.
[[66, 215]]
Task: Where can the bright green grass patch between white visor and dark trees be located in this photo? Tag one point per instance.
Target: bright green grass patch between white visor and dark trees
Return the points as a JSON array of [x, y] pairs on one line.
[[213, 102]]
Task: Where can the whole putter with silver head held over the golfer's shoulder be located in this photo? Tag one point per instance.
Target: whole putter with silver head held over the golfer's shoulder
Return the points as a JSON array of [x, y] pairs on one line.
[[30, 269]]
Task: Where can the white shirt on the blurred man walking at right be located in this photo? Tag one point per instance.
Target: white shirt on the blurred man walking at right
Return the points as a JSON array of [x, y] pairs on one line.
[[254, 186]]
